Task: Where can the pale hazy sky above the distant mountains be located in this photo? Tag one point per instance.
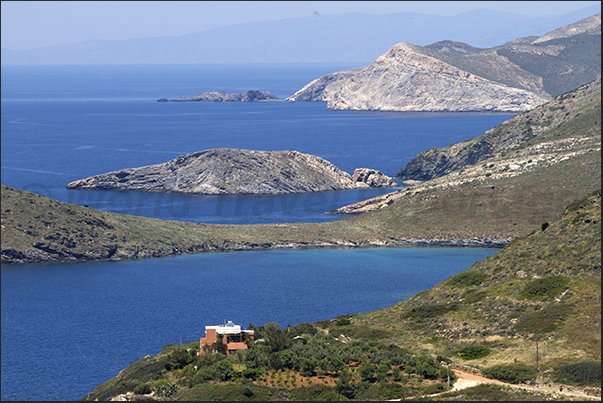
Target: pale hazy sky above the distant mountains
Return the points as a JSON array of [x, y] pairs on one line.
[[33, 24]]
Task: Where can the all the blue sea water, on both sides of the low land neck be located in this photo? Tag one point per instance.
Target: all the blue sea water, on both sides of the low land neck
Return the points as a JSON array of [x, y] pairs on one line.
[[67, 328]]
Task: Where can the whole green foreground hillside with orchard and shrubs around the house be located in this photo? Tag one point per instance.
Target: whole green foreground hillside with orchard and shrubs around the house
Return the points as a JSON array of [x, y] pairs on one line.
[[545, 288]]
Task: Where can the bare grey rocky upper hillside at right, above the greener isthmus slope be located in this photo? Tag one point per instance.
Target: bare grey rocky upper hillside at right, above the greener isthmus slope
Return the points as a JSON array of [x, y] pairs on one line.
[[565, 128]]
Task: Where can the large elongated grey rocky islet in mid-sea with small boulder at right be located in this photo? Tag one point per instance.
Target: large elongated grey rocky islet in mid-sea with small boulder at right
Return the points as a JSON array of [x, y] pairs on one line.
[[231, 171]]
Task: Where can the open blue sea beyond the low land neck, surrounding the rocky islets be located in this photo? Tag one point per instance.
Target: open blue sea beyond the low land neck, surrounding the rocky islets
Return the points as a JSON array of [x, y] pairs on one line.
[[63, 123]]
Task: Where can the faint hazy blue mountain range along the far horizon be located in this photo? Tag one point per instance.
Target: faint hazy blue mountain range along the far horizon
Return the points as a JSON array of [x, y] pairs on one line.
[[352, 37]]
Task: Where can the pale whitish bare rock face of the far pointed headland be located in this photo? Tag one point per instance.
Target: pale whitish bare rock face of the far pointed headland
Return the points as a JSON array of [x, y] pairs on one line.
[[406, 79]]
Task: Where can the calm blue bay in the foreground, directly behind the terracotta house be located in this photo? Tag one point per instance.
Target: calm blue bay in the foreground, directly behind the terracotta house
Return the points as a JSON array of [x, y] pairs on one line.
[[67, 328]]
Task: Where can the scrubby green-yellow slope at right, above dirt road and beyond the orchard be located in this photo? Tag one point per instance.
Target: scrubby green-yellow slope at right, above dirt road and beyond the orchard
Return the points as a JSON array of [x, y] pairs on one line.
[[497, 312]]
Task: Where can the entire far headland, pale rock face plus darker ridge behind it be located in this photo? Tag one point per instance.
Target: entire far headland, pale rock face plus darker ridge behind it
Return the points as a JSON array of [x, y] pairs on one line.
[[453, 76]]
